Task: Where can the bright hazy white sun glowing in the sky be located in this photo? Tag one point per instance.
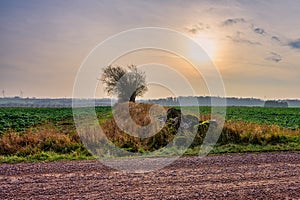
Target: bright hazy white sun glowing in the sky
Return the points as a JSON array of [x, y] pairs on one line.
[[207, 44]]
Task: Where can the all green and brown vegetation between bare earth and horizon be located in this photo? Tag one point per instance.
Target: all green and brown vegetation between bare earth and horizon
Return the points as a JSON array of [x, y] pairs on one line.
[[35, 134]]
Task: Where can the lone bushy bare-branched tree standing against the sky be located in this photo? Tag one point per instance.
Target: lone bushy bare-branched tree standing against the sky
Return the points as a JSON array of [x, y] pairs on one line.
[[126, 84]]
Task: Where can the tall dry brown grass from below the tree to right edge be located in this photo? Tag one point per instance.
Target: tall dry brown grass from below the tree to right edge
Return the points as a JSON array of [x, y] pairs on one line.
[[236, 132]]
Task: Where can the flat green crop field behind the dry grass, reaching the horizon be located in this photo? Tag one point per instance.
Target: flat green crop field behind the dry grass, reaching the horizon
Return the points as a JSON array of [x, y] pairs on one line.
[[19, 119]]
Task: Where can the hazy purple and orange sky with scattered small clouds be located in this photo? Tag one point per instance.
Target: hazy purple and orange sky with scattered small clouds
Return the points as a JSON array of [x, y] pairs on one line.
[[254, 44]]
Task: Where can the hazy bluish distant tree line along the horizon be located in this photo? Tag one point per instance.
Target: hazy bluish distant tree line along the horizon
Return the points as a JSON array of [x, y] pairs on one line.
[[169, 101]]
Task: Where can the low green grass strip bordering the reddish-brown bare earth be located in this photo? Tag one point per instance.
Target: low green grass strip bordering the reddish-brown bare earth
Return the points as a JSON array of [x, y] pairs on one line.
[[78, 152]]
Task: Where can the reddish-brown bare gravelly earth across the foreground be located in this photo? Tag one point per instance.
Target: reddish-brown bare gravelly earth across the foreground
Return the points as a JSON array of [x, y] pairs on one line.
[[240, 176]]
